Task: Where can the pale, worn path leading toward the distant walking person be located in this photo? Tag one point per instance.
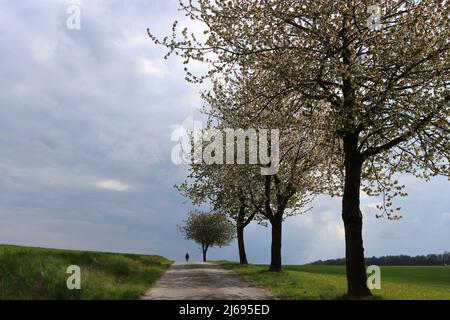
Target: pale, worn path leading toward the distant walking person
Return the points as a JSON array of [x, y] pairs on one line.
[[197, 281]]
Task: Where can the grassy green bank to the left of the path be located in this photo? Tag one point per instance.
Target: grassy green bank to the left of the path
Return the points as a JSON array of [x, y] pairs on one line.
[[38, 273]]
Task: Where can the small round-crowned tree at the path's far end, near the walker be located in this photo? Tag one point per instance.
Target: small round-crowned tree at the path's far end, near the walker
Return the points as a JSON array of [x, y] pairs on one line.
[[208, 230]]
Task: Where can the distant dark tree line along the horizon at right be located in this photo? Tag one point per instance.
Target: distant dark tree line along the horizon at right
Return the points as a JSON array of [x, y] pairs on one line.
[[402, 260]]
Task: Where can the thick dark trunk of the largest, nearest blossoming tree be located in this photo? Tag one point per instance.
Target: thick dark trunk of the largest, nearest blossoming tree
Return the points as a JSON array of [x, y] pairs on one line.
[[352, 217]]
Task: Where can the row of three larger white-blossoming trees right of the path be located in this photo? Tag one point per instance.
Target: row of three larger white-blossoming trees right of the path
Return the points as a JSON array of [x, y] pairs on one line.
[[354, 104]]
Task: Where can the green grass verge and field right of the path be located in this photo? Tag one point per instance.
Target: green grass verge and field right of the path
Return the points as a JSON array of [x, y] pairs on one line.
[[329, 282]]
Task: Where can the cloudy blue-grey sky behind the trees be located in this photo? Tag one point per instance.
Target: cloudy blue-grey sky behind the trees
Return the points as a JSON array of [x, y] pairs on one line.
[[85, 148]]
